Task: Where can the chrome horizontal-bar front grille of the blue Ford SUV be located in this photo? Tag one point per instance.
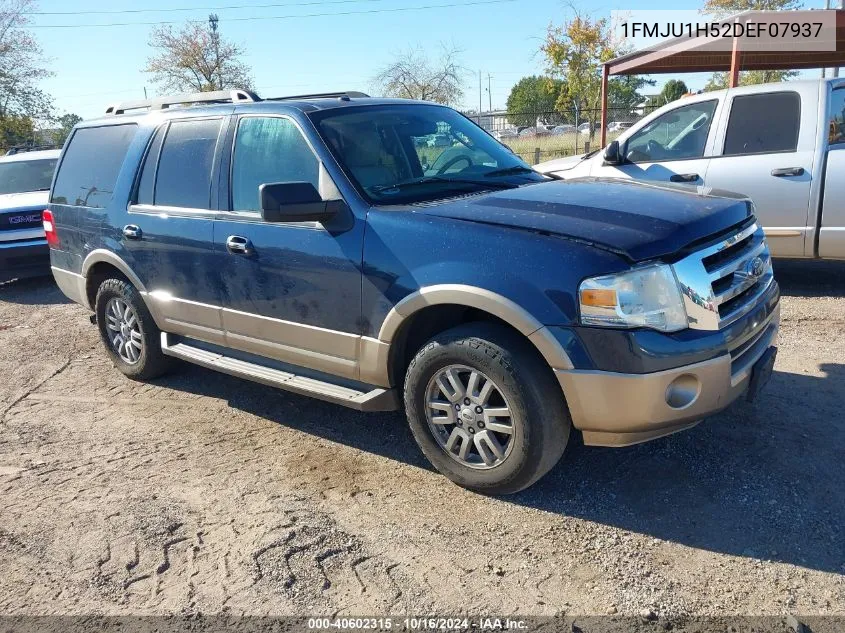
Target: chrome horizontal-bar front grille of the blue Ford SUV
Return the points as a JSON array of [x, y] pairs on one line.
[[725, 281]]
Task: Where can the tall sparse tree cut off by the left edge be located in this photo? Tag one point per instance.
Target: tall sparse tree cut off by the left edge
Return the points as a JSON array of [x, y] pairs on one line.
[[22, 67]]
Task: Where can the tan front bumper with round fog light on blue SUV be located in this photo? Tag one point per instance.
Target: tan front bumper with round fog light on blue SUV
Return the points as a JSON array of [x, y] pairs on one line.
[[619, 409]]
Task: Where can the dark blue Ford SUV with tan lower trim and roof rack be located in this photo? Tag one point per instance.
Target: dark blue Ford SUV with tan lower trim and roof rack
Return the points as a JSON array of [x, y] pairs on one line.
[[323, 244]]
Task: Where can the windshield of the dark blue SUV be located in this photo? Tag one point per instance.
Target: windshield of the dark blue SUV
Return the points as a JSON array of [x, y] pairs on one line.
[[398, 154]]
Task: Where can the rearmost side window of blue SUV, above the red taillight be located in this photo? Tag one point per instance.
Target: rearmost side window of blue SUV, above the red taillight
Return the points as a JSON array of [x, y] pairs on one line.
[[92, 161]]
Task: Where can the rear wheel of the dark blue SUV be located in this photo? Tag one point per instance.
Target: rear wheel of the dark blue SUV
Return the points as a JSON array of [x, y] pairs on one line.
[[131, 337]]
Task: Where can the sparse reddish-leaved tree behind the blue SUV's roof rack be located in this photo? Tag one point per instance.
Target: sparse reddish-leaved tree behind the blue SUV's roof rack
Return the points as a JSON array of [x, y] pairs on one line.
[[196, 58]]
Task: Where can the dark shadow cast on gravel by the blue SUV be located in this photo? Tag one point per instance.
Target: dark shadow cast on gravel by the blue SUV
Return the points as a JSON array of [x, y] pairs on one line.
[[762, 480]]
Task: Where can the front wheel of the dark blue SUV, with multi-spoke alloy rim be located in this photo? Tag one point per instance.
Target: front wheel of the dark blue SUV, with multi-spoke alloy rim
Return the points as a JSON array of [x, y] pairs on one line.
[[485, 409]]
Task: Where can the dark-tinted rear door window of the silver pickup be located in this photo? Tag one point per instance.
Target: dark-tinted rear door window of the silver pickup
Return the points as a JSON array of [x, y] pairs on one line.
[[763, 123]]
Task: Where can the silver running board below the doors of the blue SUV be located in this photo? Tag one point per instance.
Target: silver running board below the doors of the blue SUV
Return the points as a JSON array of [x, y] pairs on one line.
[[377, 399]]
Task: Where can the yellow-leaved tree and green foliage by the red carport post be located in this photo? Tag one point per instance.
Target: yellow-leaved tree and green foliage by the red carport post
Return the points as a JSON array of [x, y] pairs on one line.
[[575, 53]]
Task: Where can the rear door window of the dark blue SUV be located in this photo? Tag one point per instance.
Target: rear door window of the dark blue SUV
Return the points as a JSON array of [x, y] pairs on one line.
[[183, 177]]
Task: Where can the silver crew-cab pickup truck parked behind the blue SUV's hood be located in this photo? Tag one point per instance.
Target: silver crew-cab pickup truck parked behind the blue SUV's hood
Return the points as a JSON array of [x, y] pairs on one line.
[[783, 145]]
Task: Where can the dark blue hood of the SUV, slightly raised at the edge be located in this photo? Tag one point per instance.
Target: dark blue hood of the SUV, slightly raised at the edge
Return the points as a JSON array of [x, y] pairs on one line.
[[637, 220]]
